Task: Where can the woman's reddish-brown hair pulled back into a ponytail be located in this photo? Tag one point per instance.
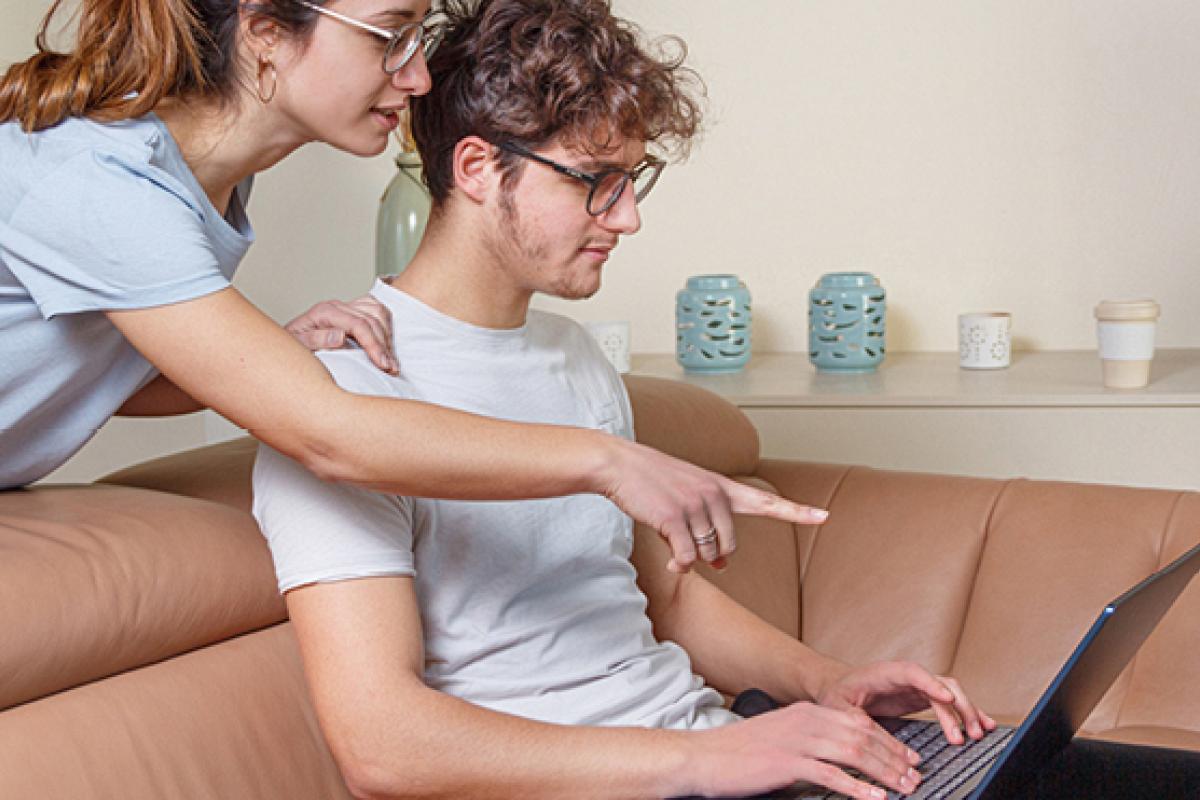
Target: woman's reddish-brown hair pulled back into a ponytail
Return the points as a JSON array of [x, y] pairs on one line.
[[131, 55]]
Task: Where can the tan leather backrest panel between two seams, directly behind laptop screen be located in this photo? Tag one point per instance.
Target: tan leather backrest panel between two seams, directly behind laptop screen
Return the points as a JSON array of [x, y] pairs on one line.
[[1057, 555]]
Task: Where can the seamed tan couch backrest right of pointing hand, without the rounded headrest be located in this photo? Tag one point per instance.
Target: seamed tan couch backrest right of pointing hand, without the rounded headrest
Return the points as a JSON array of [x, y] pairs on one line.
[[995, 582]]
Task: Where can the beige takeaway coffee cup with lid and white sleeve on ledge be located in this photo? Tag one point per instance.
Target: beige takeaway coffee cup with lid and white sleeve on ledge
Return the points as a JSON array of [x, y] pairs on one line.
[[1125, 333]]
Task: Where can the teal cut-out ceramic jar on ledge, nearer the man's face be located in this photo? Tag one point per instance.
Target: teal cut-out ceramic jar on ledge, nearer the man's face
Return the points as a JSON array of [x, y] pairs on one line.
[[713, 324]]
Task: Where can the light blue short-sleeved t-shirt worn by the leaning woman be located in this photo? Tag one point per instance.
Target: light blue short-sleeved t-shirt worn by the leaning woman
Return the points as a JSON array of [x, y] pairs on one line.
[[94, 216]]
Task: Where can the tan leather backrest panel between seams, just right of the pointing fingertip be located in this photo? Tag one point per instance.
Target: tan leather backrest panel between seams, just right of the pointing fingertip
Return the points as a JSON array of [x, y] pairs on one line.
[[891, 572]]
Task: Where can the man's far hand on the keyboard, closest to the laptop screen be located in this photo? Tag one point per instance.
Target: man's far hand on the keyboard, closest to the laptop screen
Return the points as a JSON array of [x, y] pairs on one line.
[[892, 689]]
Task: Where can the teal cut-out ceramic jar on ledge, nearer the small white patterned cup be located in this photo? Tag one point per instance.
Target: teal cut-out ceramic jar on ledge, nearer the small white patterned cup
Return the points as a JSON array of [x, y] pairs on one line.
[[847, 322]]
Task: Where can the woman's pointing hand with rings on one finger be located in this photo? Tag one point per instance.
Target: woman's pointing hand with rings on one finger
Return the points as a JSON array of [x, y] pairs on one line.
[[686, 503]]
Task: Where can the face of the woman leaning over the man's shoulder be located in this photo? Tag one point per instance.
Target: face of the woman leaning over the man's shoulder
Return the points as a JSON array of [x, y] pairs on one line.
[[333, 88]]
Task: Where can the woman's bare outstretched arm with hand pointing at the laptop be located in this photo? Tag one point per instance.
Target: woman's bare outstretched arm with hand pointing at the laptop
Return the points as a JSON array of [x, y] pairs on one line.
[[221, 351]]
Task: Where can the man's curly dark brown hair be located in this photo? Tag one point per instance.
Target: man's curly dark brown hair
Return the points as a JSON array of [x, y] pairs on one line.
[[531, 71]]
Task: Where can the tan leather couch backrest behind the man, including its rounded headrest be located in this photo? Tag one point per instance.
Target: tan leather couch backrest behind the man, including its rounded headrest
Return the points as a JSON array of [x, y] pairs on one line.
[[991, 581]]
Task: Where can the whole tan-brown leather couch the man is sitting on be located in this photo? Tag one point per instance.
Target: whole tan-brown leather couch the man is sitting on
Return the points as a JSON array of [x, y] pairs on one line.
[[145, 652]]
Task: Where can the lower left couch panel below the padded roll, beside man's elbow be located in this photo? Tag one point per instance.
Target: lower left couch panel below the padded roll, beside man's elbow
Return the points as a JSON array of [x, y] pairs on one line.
[[230, 721]]
